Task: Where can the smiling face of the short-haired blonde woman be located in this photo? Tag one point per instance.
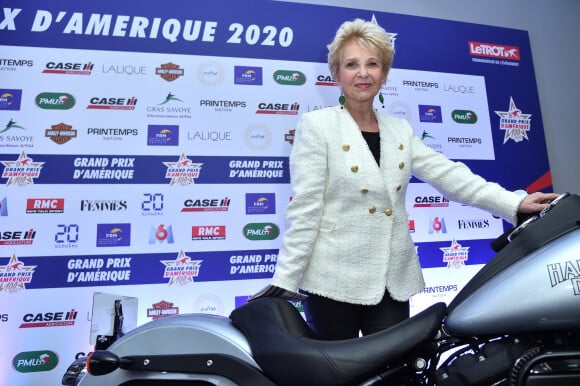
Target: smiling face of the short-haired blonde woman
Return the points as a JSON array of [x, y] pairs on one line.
[[360, 74]]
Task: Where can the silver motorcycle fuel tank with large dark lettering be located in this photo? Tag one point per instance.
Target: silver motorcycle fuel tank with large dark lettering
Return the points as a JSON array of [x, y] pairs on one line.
[[539, 292]]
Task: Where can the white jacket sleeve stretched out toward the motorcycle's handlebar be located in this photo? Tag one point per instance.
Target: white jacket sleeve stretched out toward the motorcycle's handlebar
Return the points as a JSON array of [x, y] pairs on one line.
[[458, 183]]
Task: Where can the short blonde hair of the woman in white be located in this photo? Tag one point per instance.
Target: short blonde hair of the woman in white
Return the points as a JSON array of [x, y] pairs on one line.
[[365, 33]]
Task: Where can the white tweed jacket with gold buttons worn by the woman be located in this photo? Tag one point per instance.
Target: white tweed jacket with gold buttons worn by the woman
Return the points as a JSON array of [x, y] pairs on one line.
[[347, 232]]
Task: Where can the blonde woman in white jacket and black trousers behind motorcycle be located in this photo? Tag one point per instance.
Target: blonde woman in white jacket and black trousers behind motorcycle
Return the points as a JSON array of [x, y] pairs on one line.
[[347, 245]]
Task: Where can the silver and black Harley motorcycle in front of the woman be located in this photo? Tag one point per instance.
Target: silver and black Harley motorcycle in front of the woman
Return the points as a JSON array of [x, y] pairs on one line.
[[516, 322]]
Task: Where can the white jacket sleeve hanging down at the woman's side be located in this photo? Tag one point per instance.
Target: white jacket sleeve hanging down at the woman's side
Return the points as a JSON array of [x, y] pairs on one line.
[[308, 176]]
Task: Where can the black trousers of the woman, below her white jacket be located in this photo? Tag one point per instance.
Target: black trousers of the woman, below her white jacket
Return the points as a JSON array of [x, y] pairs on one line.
[[334, 320]]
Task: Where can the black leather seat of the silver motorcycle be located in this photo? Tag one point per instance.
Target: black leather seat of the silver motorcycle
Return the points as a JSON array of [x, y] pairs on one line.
[[289, 352]]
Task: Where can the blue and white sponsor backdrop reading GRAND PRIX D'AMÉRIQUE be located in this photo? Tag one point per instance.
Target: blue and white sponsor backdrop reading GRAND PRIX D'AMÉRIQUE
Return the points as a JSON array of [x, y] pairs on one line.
[[144, 155]]
